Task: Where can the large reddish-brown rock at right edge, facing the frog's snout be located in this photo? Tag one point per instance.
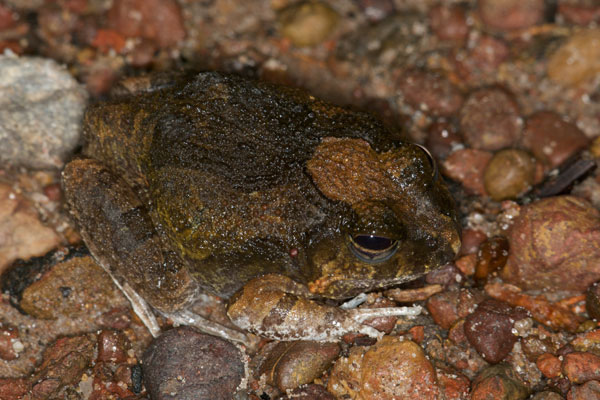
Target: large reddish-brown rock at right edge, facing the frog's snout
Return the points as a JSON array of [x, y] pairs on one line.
[[554, 246]]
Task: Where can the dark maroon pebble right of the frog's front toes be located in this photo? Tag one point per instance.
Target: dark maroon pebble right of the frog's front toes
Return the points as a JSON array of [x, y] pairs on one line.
[[490, 329]]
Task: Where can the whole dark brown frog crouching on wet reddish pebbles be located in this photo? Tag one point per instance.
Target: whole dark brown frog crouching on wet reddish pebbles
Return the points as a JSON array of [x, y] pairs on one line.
[[259, 193]]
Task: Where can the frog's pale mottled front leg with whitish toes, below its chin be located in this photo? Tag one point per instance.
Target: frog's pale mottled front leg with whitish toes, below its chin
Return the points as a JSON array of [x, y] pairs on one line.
[[277, 307]]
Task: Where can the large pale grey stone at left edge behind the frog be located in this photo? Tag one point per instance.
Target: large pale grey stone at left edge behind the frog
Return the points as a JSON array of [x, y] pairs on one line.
[[41, 106]]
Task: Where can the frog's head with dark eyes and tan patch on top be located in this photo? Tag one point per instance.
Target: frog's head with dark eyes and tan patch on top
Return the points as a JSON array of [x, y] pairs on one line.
[[404, 222]]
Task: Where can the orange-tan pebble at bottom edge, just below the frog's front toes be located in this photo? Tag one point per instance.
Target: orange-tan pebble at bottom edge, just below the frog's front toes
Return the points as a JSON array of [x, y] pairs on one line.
[[391, 369]]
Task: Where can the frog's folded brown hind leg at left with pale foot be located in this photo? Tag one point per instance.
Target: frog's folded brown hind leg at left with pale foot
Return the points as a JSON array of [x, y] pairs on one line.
[[121, 236]]
